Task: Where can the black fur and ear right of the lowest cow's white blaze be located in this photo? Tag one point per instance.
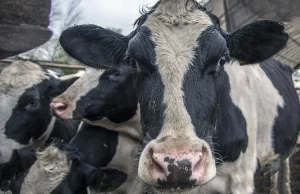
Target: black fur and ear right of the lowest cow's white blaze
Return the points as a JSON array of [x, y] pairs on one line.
[[83, 174]]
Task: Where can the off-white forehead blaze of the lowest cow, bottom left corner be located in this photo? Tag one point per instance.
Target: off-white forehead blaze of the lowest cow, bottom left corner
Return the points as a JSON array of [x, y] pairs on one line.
[[49, 170]]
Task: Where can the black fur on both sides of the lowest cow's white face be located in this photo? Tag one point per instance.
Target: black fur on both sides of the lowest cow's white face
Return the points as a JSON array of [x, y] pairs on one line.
[[80, 176]]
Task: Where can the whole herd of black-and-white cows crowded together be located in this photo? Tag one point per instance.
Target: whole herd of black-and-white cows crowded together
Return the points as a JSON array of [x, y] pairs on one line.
[[177, 106]]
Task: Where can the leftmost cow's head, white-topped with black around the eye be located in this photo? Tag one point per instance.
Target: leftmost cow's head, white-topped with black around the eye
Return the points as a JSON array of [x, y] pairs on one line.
[[26, 89]]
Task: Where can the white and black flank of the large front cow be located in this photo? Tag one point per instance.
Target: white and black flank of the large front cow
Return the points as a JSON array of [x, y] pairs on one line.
[[266, 97]]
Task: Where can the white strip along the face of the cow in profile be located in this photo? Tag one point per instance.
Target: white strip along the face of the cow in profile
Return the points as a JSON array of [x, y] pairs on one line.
[[88, 81]]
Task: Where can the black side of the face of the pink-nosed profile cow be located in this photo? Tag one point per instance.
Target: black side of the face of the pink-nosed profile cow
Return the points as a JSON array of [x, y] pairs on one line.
[[115, 97]]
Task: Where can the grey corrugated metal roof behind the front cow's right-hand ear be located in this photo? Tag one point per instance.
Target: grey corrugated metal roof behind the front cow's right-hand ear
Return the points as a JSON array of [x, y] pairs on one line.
[[241, 12]]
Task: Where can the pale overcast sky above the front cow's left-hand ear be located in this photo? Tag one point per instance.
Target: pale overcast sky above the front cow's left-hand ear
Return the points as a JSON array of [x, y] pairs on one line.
[[105, 13]]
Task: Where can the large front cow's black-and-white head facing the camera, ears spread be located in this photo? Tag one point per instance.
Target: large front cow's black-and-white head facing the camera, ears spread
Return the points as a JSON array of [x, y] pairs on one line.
[[179, 53]]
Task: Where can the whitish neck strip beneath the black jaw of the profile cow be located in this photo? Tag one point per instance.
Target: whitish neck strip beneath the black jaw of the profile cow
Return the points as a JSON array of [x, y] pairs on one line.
[[131, 127]]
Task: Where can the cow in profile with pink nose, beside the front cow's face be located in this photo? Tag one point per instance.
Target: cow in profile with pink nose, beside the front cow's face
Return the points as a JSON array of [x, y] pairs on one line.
[[106, 102]]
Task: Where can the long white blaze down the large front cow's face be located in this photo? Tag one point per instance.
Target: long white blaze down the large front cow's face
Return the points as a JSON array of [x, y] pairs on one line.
[[175, 30]]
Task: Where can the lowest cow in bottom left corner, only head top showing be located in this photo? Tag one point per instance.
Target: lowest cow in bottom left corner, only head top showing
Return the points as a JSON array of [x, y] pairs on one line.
[[58, 169]]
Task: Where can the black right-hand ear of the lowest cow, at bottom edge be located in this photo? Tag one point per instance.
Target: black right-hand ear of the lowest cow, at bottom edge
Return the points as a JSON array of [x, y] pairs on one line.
[[105, 179]]
